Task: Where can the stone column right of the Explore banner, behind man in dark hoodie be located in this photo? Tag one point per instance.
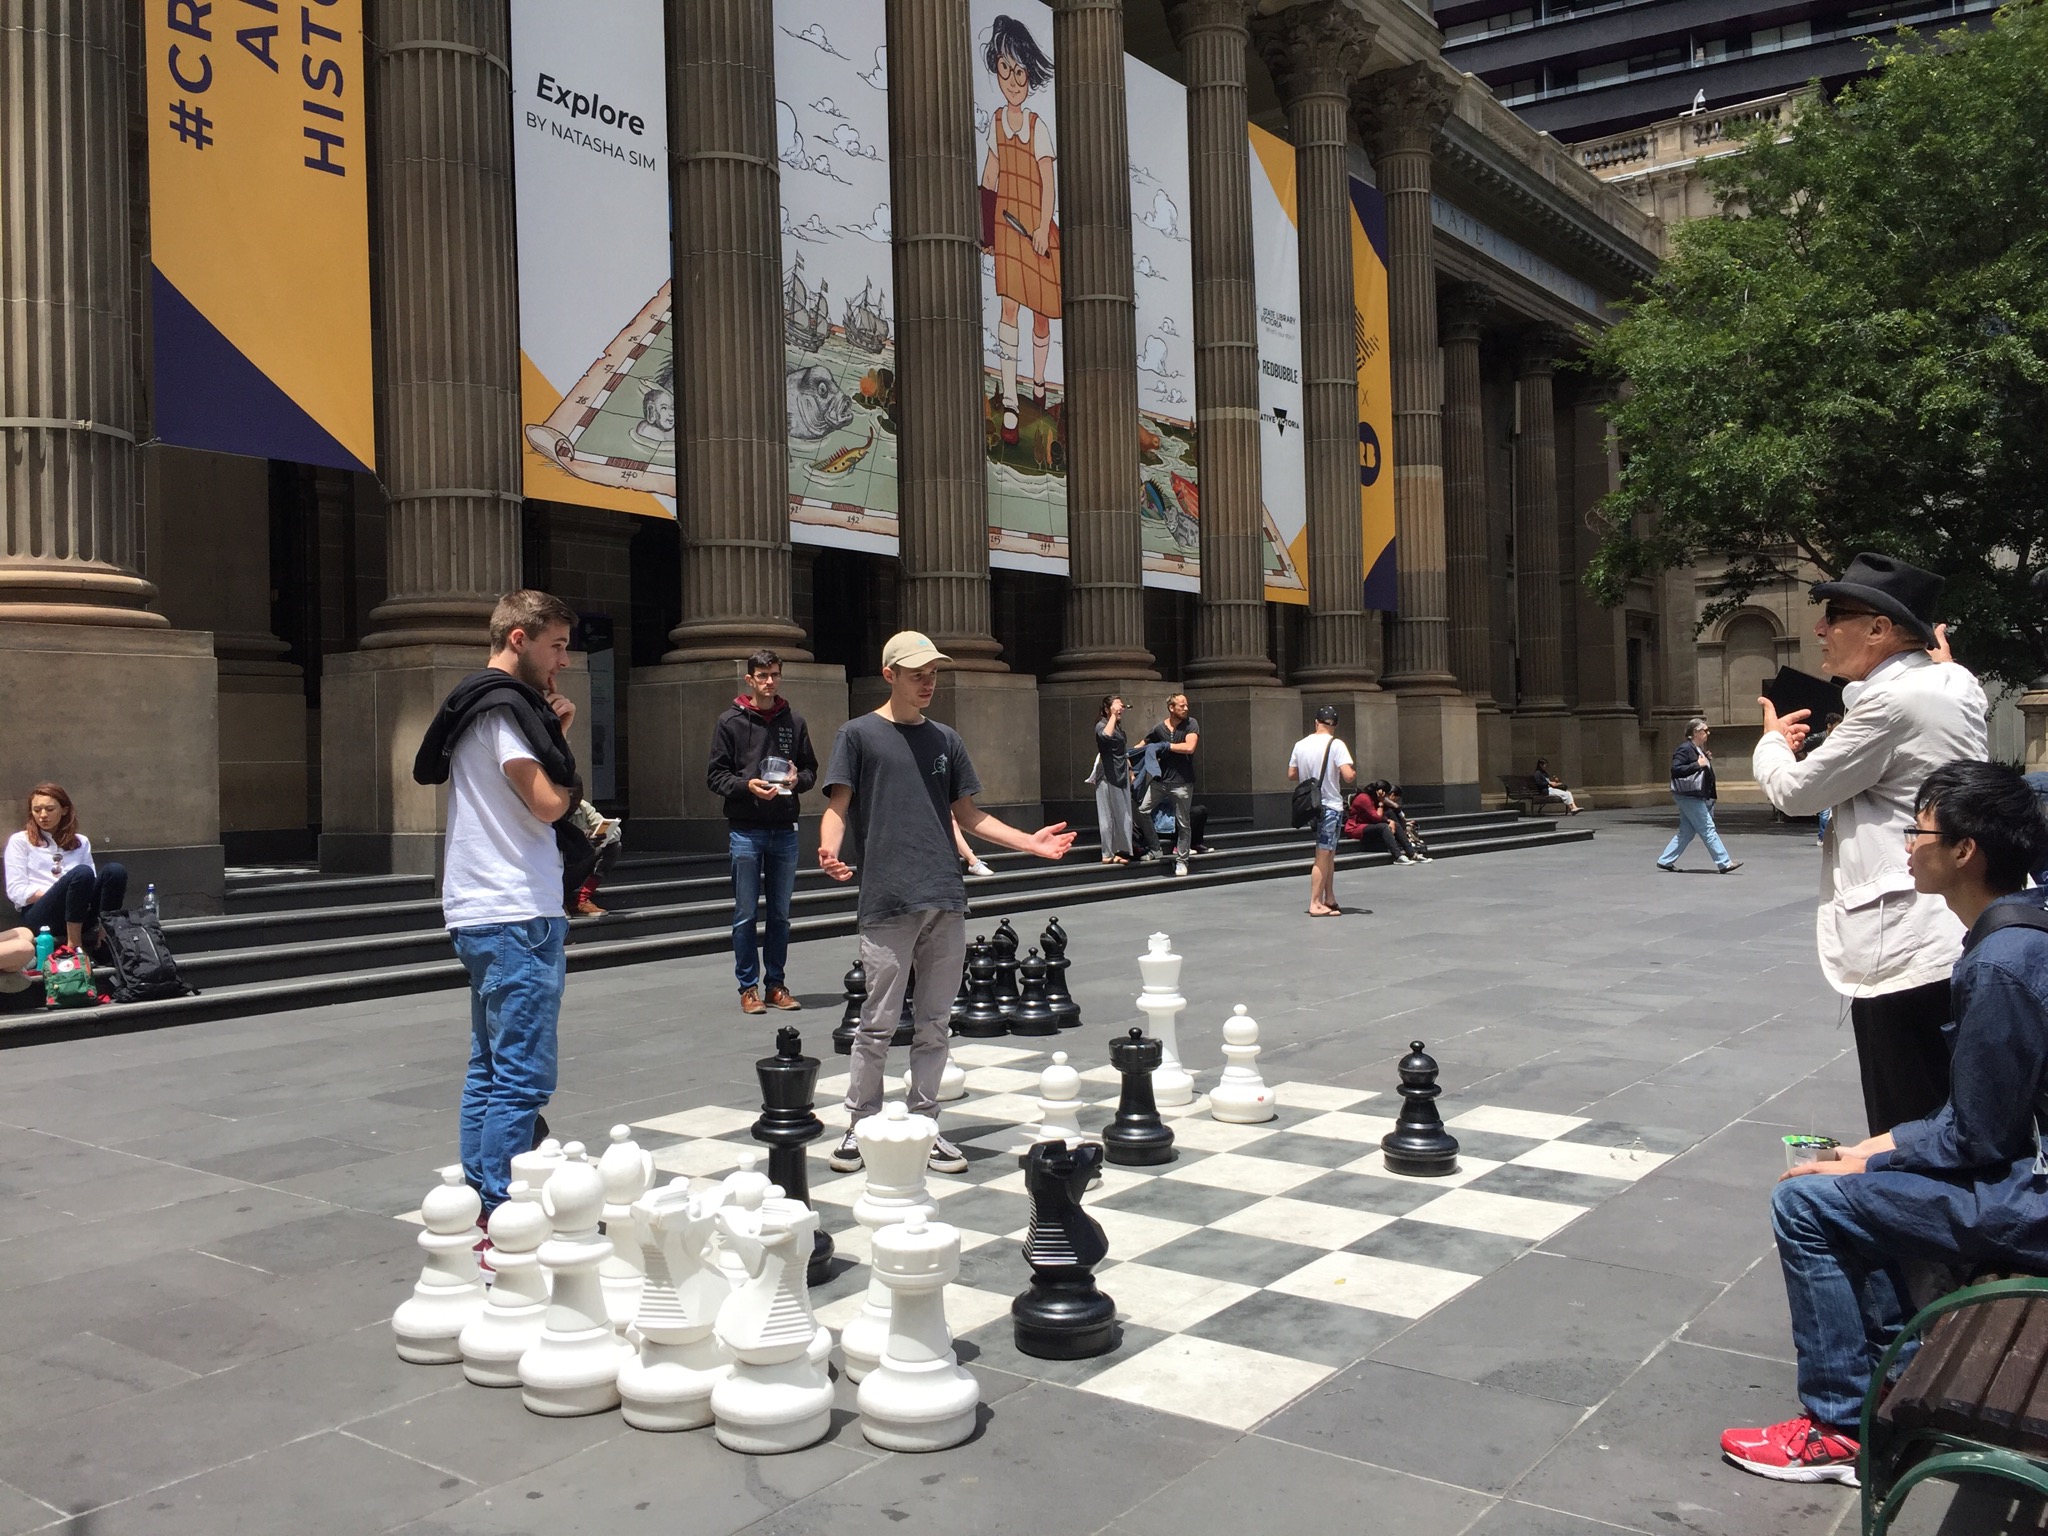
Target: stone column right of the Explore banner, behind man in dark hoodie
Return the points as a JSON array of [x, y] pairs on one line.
[[732, 427]]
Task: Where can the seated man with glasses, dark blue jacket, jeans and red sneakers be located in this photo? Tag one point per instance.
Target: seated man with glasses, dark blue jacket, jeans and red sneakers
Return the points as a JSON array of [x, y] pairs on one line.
[[1965, 1189]]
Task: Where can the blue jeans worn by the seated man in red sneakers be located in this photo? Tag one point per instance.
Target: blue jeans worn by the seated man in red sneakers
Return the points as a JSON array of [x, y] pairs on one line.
[[1846, 1293]]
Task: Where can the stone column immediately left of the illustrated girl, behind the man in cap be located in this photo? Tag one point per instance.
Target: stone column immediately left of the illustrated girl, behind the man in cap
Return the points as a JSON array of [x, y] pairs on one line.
[[943, 468]]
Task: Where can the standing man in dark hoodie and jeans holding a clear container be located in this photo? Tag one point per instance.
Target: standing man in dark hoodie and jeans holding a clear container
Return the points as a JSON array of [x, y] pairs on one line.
[[761, 765]]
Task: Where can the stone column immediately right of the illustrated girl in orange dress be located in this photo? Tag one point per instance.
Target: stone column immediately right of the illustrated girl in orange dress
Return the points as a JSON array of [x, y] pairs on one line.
[[1105, 638]]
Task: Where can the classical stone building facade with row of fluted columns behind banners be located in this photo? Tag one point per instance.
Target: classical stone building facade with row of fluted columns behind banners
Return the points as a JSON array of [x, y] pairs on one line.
[[232, 660]]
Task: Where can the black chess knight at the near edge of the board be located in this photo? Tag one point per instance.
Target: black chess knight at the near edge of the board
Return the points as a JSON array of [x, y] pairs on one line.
[[1064, 1316]]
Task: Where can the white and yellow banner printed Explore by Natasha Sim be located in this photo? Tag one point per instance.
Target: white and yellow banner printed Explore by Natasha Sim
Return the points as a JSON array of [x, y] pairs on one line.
[[591, 163]]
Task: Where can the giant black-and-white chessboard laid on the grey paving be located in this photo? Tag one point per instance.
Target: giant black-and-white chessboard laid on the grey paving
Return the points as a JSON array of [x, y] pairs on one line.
[[1256, 1265]]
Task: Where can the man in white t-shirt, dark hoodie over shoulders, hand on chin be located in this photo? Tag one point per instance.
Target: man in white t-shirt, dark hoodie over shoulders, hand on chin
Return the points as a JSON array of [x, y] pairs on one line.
[[503, 751]]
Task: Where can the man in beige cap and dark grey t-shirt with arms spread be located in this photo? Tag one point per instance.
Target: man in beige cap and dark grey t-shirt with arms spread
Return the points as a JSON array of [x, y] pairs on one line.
[[906, 781]]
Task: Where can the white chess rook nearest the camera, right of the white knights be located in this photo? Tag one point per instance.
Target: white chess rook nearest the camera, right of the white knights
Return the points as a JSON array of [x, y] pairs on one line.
[[919, 1398]]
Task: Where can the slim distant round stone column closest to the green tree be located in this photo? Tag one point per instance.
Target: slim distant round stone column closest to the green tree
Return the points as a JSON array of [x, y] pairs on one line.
[[1539, 646]]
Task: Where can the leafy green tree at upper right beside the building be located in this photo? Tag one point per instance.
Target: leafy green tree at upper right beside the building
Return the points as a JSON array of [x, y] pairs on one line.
[[1857, 355]]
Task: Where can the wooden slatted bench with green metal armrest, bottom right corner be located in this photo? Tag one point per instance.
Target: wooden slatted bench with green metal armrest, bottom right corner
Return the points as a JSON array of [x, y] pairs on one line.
[[1971, 1404]]
